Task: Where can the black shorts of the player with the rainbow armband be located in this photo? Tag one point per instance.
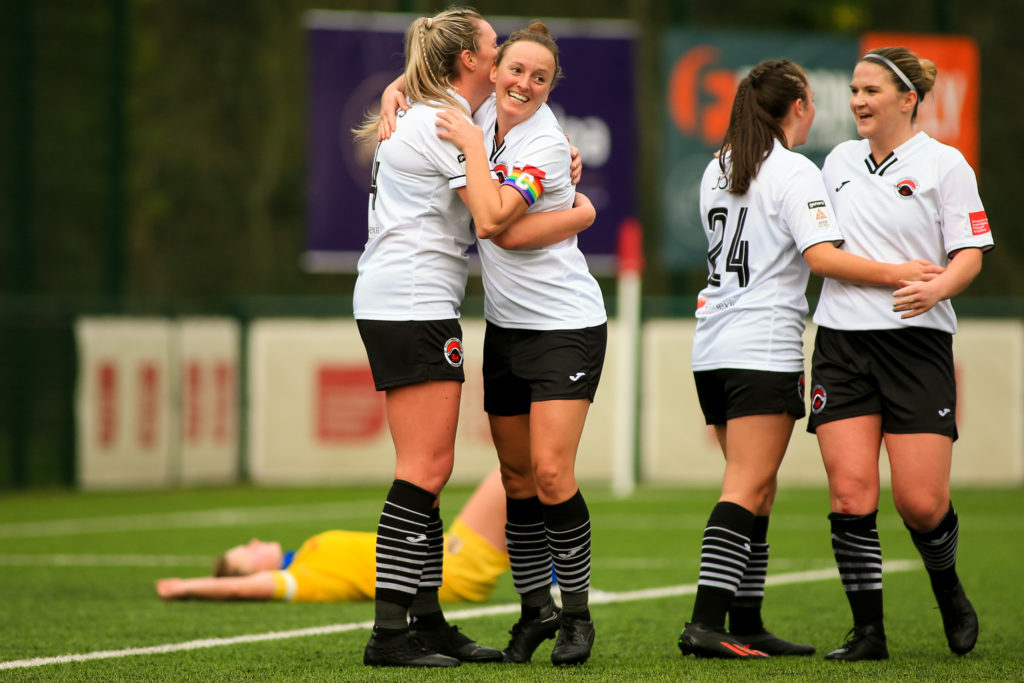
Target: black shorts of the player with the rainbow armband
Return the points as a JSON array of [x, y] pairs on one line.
[[522, 367]]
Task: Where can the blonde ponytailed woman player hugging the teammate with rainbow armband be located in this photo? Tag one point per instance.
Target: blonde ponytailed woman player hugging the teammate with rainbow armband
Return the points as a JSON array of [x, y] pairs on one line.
[[412, 278]]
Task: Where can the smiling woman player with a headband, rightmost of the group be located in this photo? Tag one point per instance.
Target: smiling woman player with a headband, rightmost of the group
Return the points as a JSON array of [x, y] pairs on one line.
[[883, 366]]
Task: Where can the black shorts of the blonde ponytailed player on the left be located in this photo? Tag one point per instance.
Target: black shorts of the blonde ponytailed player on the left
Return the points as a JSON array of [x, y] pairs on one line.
[[404, 353]]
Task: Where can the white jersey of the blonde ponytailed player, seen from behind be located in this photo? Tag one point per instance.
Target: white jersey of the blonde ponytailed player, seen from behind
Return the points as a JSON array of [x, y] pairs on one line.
[[414, 266]]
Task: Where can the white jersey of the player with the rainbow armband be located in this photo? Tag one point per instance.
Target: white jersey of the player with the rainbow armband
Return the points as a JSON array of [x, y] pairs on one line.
[[537, 289]]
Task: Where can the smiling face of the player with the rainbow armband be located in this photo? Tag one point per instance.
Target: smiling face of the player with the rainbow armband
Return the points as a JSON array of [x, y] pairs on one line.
[[523, 81]]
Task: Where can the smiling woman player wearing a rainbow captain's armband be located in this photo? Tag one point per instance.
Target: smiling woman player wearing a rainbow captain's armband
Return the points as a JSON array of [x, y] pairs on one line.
[[545, 343]]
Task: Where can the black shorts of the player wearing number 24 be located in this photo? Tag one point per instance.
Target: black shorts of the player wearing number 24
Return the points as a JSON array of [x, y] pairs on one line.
[[730, 394]]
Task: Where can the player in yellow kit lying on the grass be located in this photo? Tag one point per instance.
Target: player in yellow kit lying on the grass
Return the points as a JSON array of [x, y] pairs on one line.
[[340, 567]]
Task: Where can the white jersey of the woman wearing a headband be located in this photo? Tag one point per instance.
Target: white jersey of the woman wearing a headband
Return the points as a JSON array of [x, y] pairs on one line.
[[920, 202]]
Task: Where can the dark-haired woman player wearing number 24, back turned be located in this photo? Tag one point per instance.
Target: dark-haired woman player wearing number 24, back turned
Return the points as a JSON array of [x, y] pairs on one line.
[[769, 222]]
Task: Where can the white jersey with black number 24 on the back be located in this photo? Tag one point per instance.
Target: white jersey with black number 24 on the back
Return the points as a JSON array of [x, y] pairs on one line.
[[753, 313]]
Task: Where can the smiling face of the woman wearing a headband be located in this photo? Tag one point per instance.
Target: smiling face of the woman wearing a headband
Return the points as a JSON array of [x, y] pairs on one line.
[[882, 111]]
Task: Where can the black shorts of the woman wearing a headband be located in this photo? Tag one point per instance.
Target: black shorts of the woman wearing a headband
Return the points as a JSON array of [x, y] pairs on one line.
[[906, 375]]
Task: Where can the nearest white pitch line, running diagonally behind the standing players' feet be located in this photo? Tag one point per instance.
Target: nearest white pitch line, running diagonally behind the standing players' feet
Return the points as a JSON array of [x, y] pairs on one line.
[[598, 597]]
